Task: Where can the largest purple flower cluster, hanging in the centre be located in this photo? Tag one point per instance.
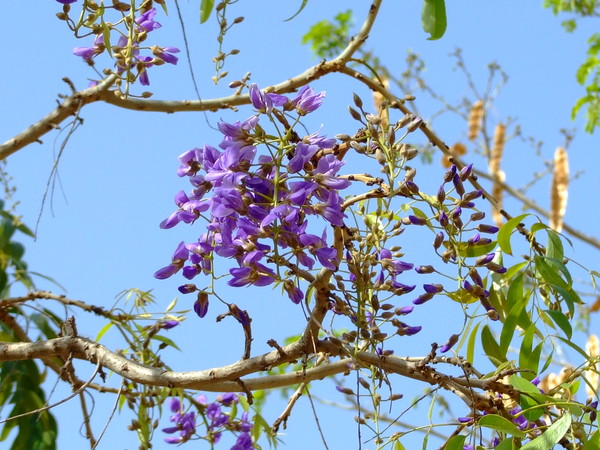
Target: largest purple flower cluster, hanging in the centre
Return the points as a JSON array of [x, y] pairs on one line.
[[256, 205]]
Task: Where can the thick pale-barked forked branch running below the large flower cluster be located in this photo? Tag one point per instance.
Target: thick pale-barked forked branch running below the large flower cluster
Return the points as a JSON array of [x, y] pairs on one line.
[[227, 378]]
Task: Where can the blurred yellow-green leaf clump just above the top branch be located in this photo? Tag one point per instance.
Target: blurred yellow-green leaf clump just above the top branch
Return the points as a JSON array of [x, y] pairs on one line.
[[327, 39]]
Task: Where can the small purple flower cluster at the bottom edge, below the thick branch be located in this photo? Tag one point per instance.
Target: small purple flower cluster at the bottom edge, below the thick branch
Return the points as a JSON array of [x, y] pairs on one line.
[[217, 421]]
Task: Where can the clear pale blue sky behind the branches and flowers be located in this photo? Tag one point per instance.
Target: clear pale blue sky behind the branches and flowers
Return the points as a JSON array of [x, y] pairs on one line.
[[118, 176]]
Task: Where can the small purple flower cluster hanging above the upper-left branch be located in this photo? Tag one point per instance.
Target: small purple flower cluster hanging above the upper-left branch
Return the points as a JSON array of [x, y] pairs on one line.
[[128, 59]]
